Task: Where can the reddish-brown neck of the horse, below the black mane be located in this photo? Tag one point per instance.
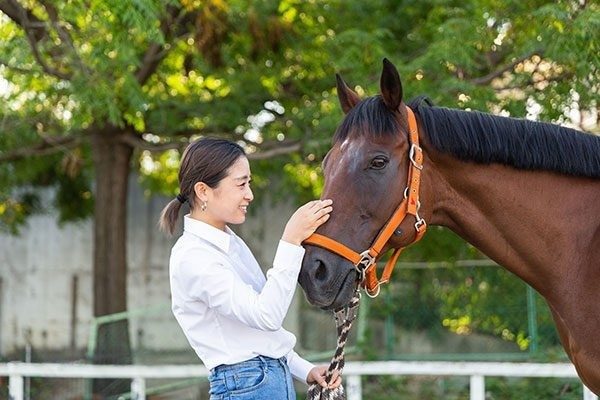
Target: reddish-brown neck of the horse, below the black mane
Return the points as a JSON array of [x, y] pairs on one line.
[[529, 222]]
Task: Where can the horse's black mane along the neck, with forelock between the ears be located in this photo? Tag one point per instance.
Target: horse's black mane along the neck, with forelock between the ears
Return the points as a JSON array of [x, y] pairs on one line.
[[485, 138]]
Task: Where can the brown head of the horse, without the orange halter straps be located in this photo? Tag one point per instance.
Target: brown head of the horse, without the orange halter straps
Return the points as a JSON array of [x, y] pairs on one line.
[[365, 174]]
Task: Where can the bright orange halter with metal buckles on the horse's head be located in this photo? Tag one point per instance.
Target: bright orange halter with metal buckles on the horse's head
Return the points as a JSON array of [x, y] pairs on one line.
[[365, 262]]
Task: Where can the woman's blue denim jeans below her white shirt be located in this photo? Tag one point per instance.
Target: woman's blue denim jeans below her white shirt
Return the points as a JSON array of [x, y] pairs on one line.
[[258, 378]]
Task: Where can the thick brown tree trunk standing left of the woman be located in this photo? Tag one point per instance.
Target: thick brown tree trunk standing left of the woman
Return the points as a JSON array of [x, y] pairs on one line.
[[112, 162]]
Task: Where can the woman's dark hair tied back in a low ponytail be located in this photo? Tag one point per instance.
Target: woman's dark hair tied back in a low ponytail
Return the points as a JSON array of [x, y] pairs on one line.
[[205, 160]]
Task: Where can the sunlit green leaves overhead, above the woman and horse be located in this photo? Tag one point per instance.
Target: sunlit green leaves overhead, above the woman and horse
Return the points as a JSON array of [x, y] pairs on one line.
[[224, 61]]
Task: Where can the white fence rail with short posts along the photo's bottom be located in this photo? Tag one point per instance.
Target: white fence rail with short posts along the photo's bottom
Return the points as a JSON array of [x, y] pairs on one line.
[[477, 371]]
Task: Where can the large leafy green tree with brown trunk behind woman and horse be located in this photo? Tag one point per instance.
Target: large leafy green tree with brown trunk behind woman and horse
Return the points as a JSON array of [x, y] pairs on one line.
[[95, 90]]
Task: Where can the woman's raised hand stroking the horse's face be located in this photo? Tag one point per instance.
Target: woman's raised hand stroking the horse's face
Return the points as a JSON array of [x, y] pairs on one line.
[[306, 220]]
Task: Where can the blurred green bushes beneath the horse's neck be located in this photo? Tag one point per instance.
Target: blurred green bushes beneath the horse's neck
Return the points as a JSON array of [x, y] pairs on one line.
[[425, 296]]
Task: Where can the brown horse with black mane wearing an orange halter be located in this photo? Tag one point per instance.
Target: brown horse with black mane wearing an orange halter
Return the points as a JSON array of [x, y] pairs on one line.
[[525, 193]]
